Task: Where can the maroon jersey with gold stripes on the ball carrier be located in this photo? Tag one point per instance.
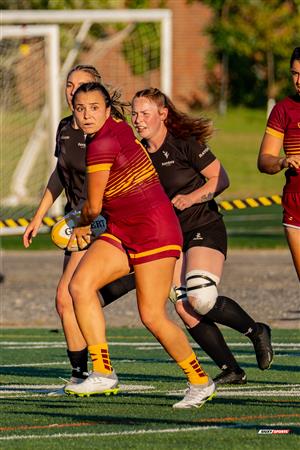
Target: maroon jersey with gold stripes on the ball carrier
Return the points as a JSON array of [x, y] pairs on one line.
[[132, 178]]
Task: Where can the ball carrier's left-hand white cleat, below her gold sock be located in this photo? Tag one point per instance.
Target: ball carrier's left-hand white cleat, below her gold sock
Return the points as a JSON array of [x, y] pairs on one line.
[[95, 384]]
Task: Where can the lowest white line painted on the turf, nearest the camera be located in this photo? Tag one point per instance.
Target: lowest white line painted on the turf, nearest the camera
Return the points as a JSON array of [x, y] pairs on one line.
[[110, 434]]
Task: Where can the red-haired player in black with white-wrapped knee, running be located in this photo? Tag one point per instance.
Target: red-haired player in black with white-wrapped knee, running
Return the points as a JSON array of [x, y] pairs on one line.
[[192, 176]]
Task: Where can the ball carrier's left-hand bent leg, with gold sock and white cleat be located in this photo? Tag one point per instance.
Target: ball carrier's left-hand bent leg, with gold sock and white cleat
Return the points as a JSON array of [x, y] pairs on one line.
[[101, 264]]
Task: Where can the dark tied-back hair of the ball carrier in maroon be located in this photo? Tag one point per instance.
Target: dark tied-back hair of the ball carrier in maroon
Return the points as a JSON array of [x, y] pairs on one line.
[[118, 108]]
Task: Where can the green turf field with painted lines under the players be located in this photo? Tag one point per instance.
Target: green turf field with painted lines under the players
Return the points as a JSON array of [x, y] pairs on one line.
[[141, 416]]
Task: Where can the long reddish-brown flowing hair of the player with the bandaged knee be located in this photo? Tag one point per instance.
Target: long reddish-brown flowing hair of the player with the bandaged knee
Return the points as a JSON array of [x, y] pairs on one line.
[[178, 123]]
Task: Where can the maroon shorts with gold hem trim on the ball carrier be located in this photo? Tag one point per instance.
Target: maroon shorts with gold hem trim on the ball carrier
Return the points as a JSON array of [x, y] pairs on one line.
[[155, 234]]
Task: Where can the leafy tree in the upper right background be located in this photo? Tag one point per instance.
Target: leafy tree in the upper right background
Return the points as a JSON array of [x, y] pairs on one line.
[[264, 31]]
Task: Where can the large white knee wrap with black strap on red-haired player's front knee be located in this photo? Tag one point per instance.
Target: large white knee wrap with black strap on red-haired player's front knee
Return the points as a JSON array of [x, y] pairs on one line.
[[202, 287]]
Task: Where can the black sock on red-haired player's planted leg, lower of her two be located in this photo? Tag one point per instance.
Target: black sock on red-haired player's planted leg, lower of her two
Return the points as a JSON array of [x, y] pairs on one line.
[[212, 342]]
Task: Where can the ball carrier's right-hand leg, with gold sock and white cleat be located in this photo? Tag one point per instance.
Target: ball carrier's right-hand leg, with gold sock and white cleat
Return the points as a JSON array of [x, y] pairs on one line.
[[153, 314]]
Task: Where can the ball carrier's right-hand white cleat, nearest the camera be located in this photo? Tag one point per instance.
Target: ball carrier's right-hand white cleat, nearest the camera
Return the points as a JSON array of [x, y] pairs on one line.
[[196, 395]]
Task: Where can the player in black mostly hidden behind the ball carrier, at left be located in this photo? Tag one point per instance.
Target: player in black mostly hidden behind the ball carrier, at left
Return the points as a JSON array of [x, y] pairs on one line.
[[69, 175]]
